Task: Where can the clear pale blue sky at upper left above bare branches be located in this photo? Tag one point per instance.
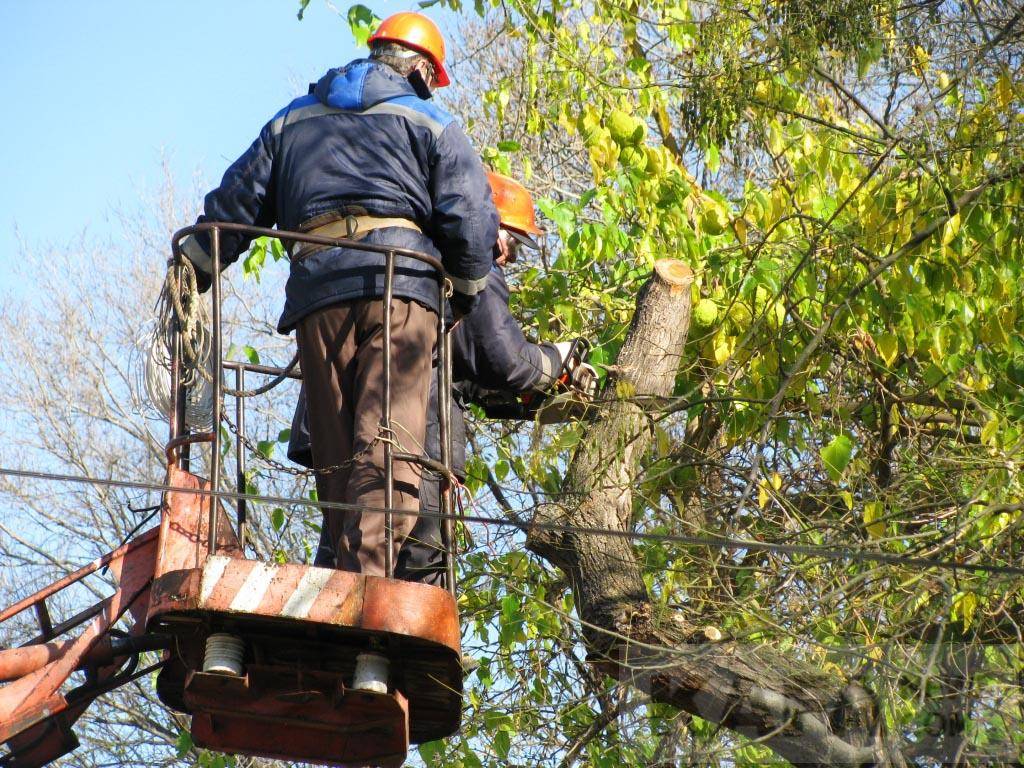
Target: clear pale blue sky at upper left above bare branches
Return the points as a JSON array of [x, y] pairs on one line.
[[96, 93]]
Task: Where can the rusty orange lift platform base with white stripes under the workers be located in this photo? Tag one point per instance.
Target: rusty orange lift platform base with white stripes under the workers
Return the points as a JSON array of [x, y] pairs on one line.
[[303, 628]]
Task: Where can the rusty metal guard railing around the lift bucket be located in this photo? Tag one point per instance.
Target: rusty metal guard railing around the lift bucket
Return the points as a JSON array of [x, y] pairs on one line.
[[181, 440]]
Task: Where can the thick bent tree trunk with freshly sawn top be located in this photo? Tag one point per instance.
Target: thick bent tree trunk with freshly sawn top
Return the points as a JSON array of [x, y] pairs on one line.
[[804, 715]]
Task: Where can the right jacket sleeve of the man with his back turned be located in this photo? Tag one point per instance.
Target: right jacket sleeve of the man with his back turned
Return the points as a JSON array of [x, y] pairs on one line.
[[464, 224]]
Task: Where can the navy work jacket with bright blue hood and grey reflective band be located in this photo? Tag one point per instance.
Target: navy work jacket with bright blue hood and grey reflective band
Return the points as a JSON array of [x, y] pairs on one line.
[[361, 144]]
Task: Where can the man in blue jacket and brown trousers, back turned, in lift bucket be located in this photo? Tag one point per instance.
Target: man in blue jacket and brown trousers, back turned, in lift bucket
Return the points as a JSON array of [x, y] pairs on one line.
[[365, 155]]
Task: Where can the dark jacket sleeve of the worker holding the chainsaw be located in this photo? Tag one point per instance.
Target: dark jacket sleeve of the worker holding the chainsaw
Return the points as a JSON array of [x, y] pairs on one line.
[[493, 352]]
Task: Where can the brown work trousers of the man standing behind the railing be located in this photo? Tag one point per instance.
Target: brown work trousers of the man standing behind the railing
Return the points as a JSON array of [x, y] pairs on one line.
[[342, 350]]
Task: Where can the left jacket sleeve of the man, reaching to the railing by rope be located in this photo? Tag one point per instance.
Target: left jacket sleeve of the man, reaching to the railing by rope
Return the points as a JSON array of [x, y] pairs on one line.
[[245, 197]]
